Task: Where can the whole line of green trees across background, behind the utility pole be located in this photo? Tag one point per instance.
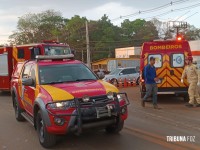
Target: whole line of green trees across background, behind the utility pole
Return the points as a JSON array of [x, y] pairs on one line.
[[104, 35]]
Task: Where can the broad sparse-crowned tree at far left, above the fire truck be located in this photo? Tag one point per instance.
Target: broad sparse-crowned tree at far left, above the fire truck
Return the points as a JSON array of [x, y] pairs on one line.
[[32, 28]]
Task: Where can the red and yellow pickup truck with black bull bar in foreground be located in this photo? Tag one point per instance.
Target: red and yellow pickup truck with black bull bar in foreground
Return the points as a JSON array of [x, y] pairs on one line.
[[58, 94]]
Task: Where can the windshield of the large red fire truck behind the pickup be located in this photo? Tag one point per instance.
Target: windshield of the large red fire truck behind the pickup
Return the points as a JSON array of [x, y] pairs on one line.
[[57, 50]]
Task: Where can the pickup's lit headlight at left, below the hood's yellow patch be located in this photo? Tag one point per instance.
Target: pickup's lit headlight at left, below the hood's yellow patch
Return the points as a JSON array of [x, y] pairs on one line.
[[61, 105]]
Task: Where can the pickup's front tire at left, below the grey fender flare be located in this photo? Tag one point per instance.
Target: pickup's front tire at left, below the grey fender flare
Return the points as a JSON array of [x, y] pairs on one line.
[[46, 139]]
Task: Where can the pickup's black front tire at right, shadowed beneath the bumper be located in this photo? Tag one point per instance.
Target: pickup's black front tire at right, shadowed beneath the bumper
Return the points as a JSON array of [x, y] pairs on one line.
[[115, 128]]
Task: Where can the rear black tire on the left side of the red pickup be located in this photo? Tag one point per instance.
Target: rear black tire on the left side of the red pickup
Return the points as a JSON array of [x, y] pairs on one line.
[[18, 110]]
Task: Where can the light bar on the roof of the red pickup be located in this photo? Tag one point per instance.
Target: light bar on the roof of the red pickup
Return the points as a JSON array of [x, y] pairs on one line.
[[55, 57]]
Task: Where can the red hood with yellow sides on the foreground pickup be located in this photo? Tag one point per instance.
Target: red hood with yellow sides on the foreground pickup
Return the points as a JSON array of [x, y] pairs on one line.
[[67, 91]]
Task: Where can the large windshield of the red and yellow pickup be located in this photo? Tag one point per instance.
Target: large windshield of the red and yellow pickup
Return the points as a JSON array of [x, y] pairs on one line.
[[52, 74]]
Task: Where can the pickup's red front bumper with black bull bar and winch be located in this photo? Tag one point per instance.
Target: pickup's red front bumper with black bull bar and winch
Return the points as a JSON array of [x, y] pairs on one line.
[[86, 116]]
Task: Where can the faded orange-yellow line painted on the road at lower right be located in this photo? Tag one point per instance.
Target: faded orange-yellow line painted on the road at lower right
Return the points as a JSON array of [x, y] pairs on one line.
[[160, 140]]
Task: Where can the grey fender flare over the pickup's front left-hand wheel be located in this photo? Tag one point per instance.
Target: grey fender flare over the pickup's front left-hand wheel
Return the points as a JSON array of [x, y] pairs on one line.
[[39, 104]]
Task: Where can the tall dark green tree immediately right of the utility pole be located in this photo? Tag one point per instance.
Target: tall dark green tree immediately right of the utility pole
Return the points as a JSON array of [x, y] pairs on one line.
[[104, 37]]
